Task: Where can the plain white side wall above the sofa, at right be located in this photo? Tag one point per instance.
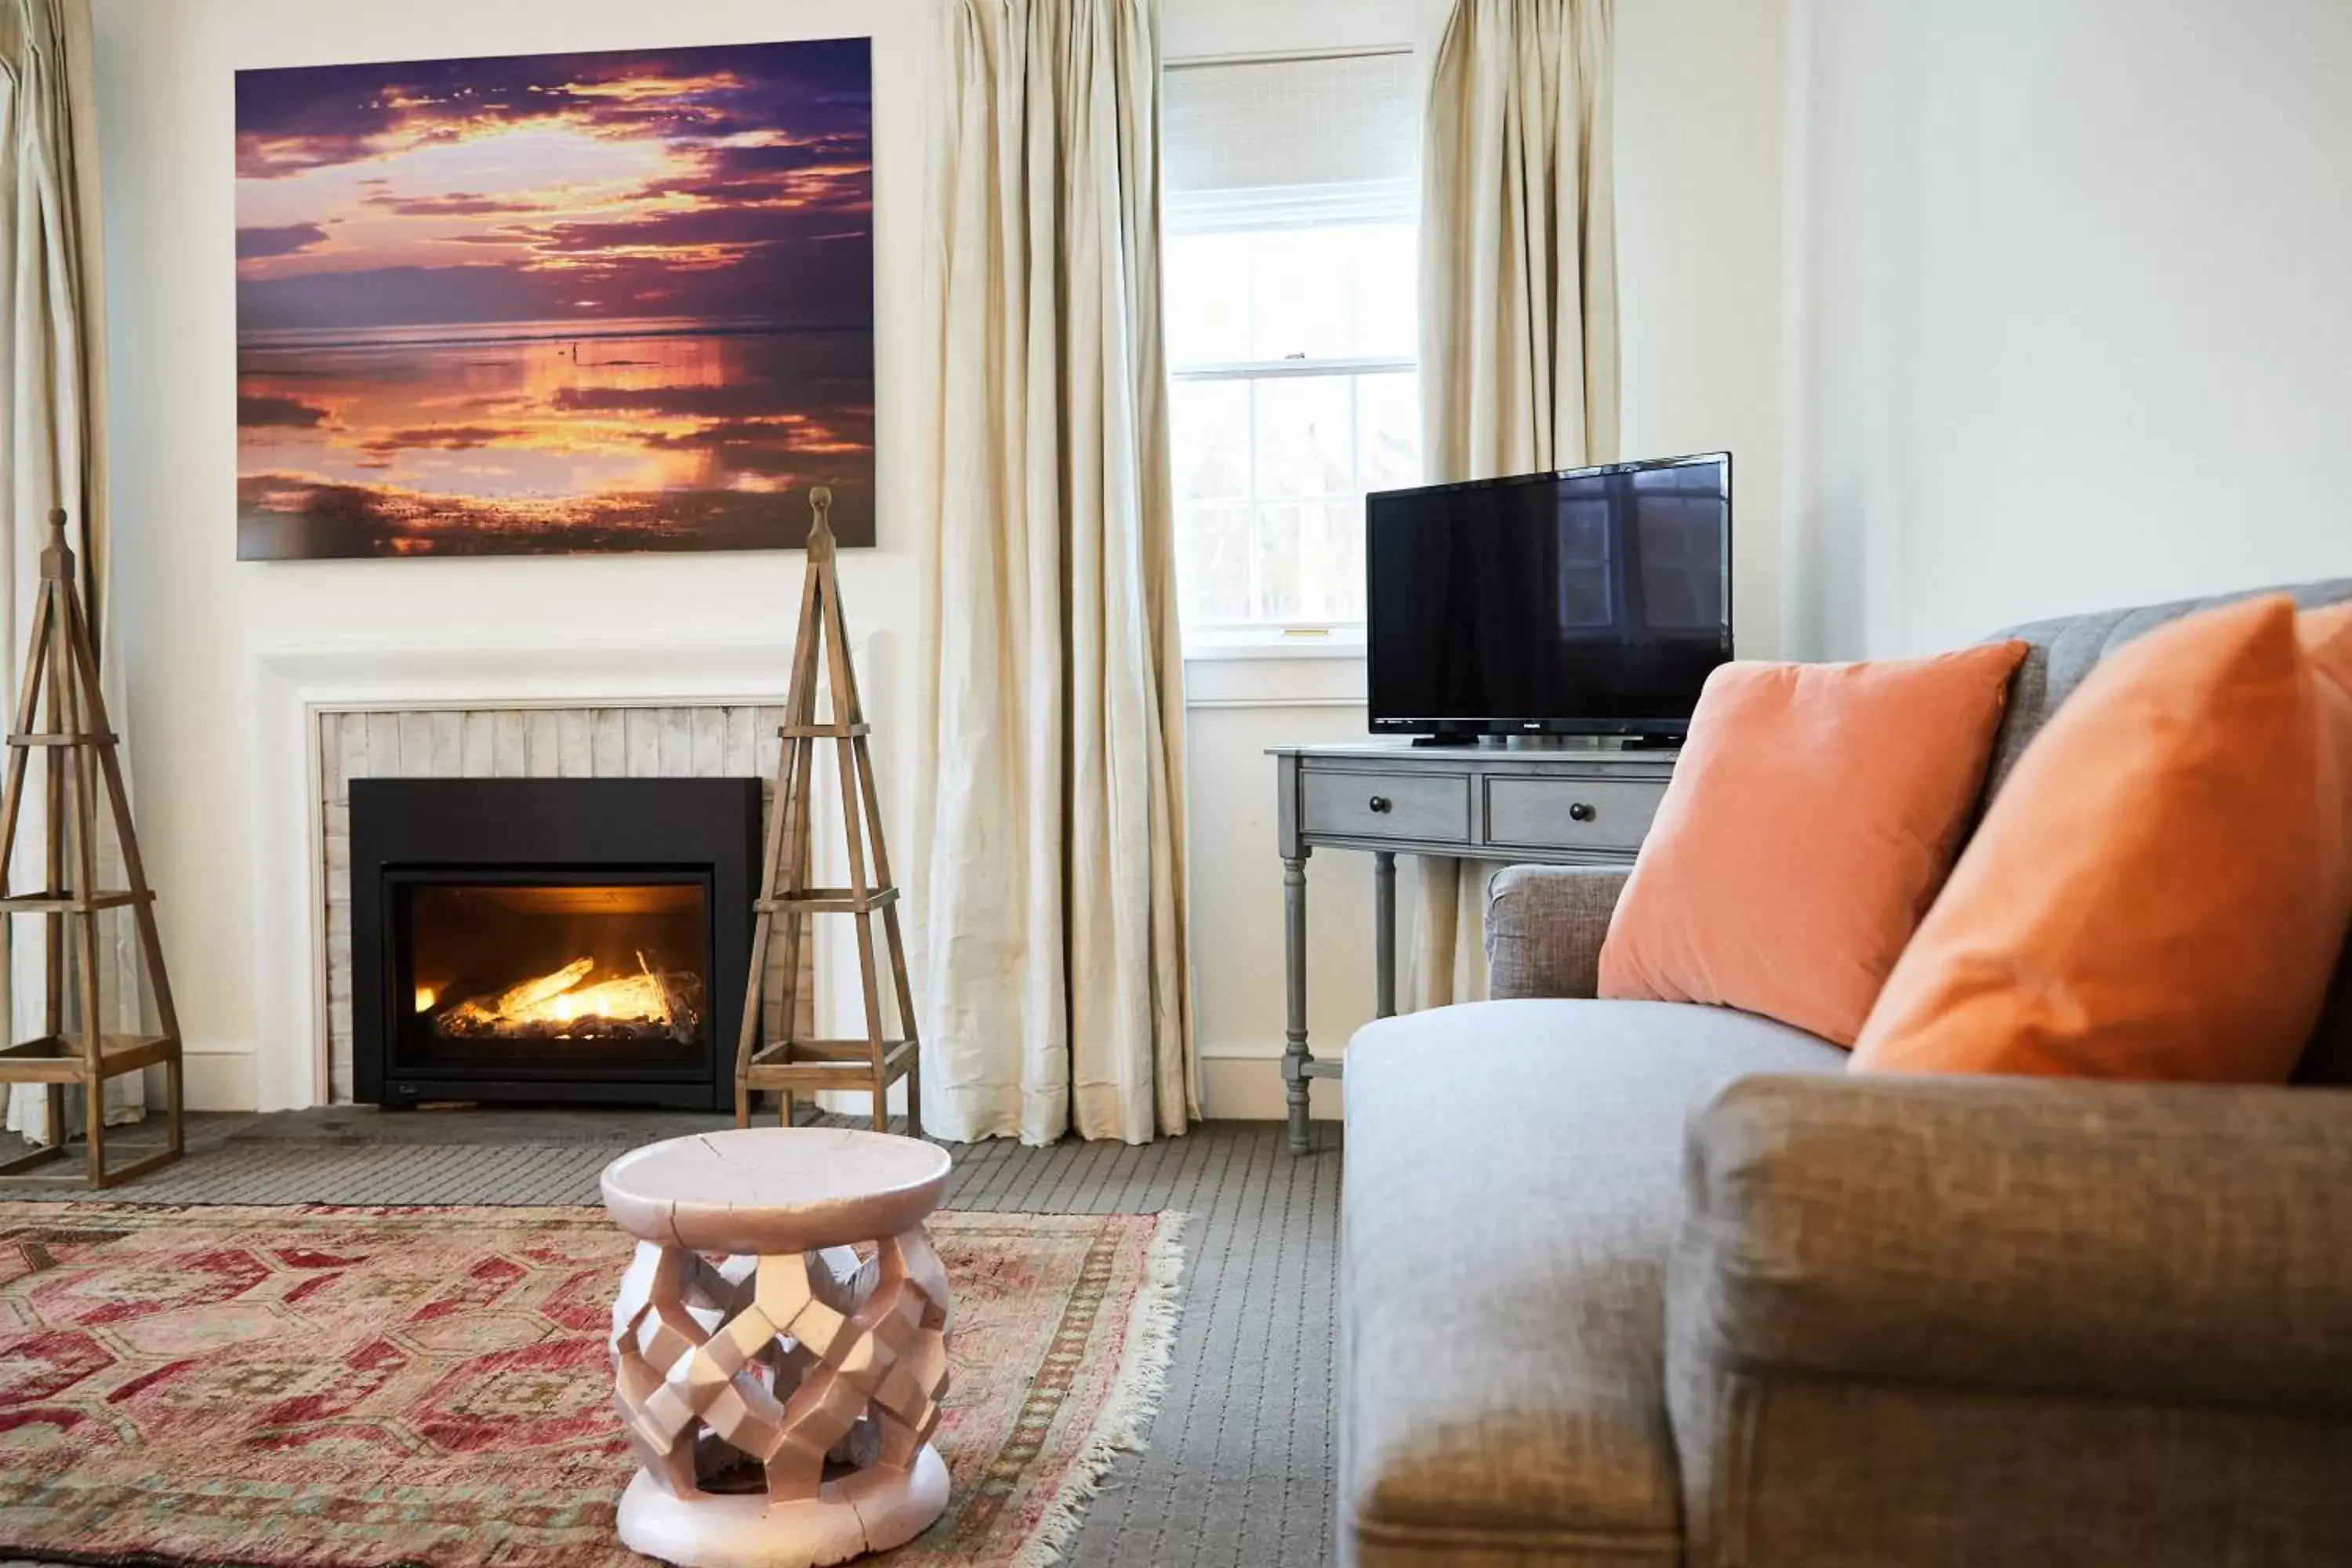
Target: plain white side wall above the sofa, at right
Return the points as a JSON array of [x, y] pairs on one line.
[[2071, 311]]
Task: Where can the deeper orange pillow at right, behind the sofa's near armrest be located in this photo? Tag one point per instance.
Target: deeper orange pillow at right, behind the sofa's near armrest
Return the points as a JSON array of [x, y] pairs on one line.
[[2163, 887]]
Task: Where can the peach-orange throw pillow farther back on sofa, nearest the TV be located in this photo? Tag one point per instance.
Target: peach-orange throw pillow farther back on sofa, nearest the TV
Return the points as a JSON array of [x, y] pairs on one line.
[[1810, 822]]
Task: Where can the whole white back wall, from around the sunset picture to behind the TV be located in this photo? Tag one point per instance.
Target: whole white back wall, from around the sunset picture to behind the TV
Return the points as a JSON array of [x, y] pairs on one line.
[[1699, 102]]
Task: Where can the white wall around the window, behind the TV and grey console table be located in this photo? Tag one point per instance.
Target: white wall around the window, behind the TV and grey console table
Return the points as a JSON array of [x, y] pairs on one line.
[[1699, 257]]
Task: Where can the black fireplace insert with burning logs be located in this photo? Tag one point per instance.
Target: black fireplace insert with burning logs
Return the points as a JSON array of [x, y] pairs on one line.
[[552, 939]]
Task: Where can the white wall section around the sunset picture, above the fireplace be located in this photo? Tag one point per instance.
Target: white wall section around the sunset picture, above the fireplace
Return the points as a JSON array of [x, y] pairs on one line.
[[196, 617]]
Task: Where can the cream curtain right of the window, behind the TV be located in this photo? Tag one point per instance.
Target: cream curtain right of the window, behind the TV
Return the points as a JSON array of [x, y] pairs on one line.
[[1518, 314]]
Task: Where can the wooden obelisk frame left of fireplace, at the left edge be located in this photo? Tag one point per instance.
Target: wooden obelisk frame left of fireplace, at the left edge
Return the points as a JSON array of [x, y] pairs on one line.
[[62, 718]]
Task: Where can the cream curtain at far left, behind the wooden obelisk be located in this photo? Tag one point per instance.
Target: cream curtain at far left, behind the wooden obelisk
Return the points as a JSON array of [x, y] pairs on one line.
[[53, 344]]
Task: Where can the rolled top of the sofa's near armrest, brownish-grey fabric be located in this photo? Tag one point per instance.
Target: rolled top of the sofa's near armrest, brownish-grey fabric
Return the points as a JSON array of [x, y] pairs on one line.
[[2179, 1245]]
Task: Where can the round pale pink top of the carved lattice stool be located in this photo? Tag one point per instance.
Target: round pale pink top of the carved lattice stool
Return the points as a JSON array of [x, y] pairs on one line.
[[775, 1188]]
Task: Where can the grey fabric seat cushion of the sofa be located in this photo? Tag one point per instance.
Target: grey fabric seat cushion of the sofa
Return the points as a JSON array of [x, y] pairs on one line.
[[1514, 1184]]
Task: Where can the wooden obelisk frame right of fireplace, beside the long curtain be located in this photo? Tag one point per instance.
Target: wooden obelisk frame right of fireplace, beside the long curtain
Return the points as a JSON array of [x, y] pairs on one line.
[[801, 1064]]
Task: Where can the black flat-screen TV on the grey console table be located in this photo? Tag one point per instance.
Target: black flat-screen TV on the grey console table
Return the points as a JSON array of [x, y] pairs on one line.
[[1582, 603]]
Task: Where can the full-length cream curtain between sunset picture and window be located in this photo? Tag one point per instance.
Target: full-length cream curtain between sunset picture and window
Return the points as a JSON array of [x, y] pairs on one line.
[[1055, 890]]
